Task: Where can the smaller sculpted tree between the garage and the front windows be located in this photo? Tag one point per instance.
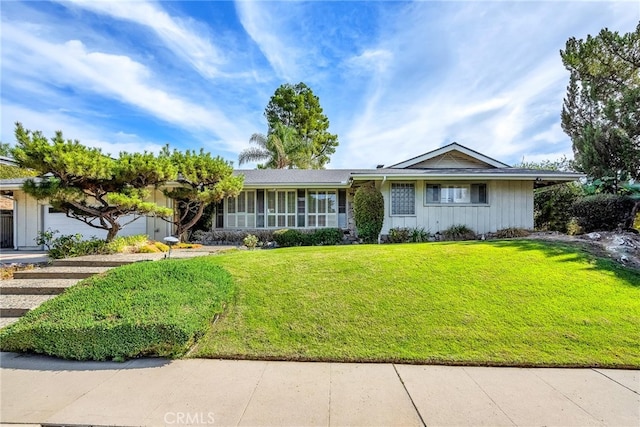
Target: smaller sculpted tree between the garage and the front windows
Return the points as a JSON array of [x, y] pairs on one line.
[[203, 180]]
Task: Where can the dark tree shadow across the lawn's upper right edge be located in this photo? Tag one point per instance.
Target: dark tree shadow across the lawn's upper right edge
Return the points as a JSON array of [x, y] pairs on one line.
[[572, 252]]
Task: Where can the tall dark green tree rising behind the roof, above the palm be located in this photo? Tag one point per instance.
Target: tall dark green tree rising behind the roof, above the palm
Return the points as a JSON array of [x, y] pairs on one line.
[[296, 106]]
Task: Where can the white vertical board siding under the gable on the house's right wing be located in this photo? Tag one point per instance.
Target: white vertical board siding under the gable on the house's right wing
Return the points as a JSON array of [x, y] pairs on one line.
[[510, 204]]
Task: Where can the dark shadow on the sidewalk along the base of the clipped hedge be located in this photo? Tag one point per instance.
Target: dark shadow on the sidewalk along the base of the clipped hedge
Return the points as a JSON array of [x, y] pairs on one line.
[[38, 362]]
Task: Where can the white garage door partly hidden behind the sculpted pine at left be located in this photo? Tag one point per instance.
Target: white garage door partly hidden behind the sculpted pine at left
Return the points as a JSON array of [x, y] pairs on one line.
[[59, 221]]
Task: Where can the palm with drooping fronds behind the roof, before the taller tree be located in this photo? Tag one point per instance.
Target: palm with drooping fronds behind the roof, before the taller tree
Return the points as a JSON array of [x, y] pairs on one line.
[[281, 148]]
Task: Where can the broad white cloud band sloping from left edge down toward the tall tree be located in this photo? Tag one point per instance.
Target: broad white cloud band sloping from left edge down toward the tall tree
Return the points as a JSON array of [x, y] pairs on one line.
[[114, 76]]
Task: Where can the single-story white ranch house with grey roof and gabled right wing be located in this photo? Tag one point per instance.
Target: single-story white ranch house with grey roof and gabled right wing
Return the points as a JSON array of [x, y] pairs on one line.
[[448, 186]]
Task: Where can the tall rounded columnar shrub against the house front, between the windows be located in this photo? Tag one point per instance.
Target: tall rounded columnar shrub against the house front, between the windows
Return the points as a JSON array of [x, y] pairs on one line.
[[368, 210]]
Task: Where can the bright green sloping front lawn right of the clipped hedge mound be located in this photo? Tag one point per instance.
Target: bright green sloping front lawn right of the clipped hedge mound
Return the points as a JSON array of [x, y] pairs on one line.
[[522, 303]]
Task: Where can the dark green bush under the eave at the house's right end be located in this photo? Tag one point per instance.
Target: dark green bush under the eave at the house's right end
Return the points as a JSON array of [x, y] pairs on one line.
[[552, 206]]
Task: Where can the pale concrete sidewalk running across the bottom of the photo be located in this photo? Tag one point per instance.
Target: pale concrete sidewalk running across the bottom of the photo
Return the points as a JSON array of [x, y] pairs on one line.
[[155, 392]]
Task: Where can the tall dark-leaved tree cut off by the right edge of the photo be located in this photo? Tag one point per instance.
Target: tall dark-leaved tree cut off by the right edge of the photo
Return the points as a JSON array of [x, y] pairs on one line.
[[601, 111]]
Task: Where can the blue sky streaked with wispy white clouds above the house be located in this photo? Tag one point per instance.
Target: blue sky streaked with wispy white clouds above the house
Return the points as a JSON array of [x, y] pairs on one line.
[[396, 79]]
